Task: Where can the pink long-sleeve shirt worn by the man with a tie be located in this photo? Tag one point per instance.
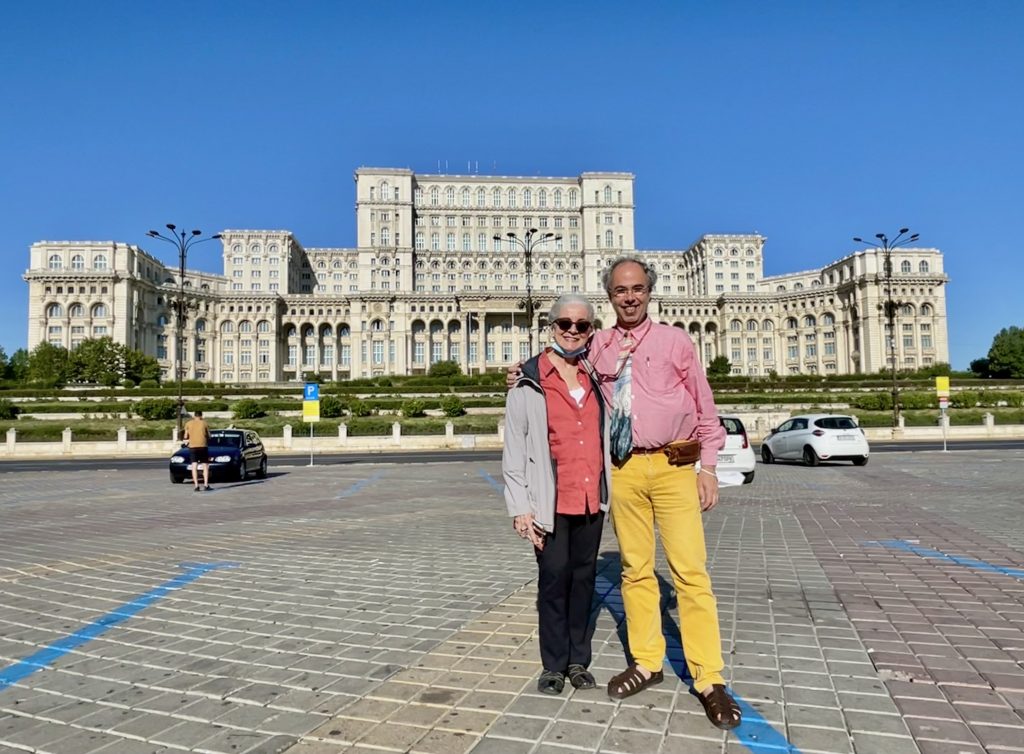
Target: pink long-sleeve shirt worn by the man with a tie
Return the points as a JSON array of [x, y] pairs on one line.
[[671, 397]]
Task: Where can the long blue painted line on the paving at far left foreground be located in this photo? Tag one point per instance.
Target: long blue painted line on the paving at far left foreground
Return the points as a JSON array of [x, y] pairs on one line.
[[48, 656]]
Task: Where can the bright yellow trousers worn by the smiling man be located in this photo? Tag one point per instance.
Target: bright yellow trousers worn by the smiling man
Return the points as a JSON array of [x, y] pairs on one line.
[[647, 490]]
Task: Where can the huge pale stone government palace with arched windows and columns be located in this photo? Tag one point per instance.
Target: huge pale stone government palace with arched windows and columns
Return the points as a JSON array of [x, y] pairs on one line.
[[428, 281]]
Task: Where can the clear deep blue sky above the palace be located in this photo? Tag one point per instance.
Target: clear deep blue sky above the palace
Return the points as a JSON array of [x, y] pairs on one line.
[[808, 122]]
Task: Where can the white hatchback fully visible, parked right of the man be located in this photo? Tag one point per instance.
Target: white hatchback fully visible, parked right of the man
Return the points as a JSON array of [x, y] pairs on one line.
[[817, 438]]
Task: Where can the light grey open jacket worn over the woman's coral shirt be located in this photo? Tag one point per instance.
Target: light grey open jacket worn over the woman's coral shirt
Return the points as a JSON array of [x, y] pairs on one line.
[[527, 465]]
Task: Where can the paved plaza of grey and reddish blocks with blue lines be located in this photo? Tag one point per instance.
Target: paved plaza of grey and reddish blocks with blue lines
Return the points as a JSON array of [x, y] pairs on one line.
[[390, 608]]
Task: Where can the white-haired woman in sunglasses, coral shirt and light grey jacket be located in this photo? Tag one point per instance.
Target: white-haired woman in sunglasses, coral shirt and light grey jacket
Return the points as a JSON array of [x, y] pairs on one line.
[[558, 473]]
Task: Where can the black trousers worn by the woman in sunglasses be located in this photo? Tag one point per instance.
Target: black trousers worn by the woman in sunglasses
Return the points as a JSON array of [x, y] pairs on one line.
[[566, 590]]
